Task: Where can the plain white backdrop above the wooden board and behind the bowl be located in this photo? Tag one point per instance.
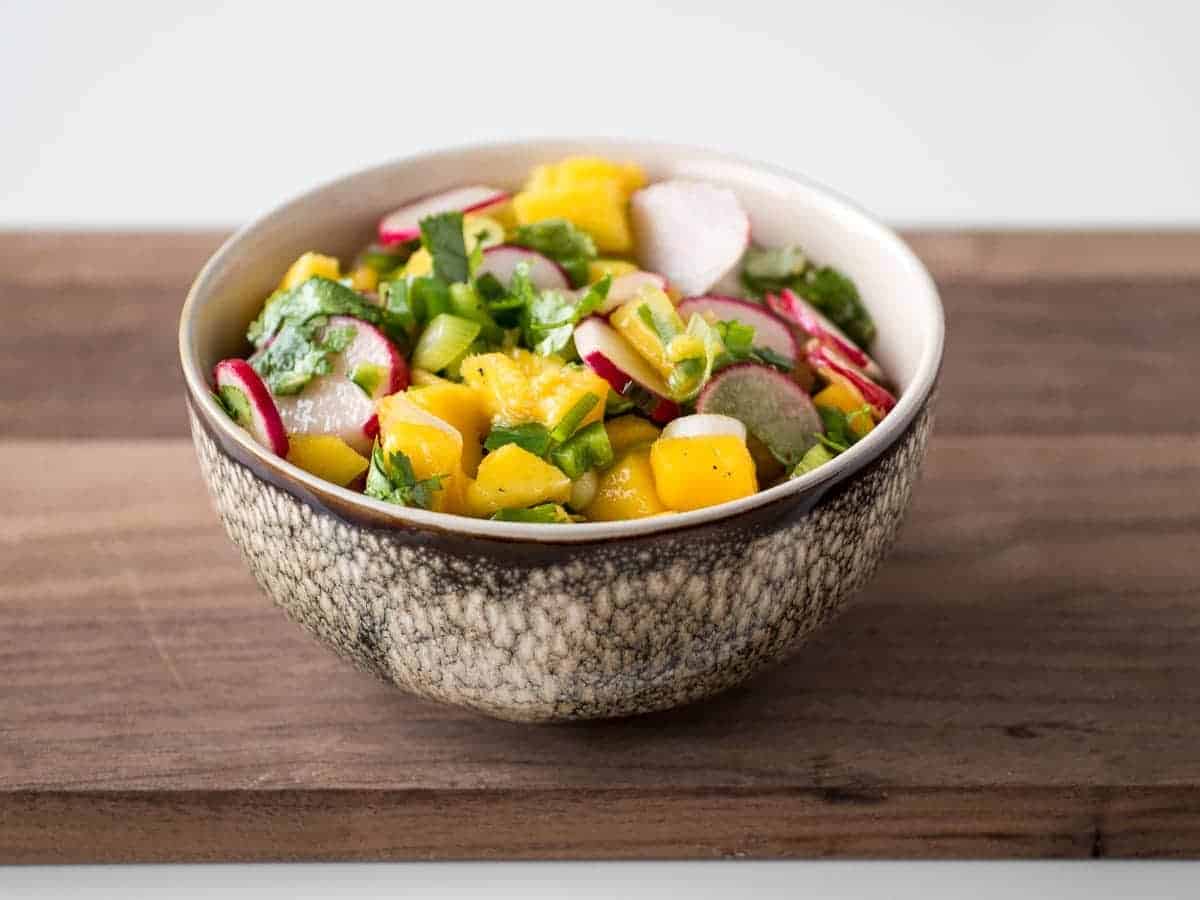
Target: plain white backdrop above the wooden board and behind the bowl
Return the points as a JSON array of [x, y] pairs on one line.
[[927, 112]]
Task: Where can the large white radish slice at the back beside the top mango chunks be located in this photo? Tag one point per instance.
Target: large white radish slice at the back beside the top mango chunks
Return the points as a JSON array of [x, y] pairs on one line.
[[693, 233]]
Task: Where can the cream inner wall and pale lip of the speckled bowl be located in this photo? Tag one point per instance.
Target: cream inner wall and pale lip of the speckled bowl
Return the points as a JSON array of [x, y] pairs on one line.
[[340, 219]]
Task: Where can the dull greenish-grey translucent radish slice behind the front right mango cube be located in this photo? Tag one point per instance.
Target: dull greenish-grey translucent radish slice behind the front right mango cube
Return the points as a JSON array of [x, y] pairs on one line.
[[772, 406]]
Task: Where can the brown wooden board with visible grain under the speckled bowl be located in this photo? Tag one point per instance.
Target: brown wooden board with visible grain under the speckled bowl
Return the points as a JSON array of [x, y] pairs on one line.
[[1023, 677]]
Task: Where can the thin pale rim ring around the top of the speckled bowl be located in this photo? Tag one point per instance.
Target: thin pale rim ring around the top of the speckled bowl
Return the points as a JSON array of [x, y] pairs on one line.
[[844, 466]]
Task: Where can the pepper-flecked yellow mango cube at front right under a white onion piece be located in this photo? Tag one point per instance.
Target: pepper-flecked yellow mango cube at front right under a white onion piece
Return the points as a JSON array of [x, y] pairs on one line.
[[692, 473]]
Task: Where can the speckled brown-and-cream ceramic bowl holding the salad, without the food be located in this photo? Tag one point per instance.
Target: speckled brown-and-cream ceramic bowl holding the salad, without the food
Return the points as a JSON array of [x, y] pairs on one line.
[[543, 623]]
